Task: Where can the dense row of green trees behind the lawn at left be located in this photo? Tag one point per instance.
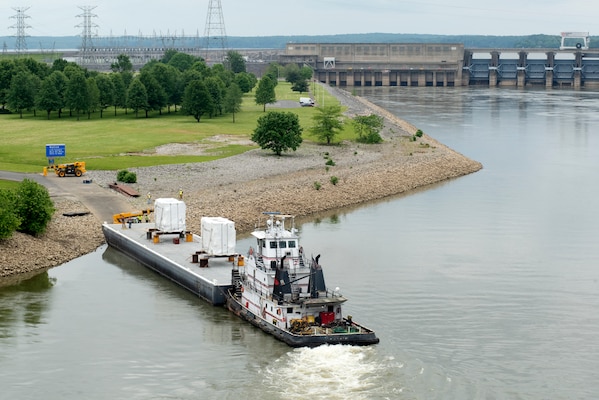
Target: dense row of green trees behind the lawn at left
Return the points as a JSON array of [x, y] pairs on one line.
[[178, 80]]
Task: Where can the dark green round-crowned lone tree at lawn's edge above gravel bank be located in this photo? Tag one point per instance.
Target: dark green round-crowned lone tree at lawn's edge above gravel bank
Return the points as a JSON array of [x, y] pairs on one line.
[[278, 131]]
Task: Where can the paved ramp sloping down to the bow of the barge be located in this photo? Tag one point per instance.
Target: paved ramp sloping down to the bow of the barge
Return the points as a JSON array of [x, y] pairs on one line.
[[103, 203]]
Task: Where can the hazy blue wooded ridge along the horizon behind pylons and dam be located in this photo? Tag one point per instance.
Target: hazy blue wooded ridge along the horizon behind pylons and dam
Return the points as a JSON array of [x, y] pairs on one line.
[[49, 43]]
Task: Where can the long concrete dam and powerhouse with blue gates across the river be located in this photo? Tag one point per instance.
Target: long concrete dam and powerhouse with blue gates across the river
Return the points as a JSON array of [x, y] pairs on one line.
[[444, 64]]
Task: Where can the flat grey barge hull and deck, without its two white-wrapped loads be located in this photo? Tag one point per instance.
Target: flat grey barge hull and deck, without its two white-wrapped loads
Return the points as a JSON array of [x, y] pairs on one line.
[[178, 256]]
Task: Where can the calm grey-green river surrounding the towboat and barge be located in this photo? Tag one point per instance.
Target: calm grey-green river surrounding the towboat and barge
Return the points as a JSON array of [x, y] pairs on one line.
[[481, 287]]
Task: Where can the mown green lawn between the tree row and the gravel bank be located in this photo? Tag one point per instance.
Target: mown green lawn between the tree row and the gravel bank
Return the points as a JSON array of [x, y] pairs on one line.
[[123, 141]]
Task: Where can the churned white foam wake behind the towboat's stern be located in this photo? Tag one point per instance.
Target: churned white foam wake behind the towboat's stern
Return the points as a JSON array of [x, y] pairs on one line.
[[332, 372]]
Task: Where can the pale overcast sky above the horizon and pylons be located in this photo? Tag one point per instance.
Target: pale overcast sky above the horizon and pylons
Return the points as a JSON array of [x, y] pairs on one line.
[[308, 17]]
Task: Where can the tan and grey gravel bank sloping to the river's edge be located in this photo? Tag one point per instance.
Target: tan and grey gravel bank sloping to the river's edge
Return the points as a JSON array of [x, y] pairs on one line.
[[243, 186]]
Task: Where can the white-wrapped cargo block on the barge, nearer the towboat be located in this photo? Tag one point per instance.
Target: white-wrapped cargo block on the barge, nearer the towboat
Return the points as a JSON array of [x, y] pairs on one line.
[[218, 236]]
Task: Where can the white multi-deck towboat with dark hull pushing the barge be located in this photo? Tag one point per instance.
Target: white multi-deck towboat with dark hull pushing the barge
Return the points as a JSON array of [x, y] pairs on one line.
[[278, 290]]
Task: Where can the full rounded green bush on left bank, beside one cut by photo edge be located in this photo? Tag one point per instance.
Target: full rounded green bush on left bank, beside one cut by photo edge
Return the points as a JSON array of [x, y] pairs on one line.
[[34, 207]]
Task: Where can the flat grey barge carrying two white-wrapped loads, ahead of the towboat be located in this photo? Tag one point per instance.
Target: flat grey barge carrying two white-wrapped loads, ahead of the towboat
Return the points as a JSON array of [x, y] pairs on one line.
[[200, 265]]
